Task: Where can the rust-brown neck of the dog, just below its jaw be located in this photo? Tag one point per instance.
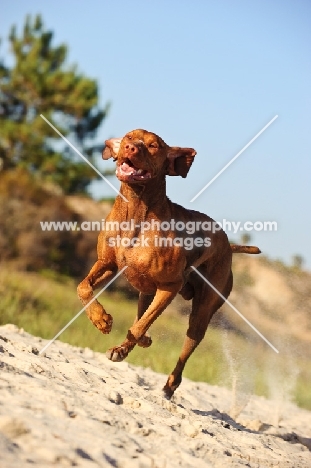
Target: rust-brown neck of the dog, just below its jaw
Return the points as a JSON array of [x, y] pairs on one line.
[[143, 199]]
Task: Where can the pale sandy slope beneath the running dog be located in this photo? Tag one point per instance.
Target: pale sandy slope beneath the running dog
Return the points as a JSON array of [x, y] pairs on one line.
[[73, 407]]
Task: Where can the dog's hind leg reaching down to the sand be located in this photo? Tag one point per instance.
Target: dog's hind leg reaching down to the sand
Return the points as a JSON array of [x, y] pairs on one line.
[[204, 304]]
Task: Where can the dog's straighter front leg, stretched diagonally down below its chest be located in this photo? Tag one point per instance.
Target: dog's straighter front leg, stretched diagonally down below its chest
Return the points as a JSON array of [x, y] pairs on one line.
[[161, 300]]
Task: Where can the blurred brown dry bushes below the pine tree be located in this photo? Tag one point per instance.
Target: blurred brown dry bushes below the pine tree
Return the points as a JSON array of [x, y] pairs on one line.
[[23, 204]]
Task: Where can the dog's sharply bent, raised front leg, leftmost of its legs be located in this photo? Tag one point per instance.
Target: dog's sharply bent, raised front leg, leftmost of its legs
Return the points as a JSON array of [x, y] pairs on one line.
[[100, 274]]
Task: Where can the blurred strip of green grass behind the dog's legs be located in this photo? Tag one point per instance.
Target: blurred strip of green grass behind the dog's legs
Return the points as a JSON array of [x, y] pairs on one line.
[[43, 304]]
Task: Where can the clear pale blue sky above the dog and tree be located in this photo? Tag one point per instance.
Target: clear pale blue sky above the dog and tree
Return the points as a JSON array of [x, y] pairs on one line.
[[210, 75]]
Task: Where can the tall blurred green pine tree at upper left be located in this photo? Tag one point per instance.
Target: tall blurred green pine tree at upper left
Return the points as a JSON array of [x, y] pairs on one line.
[[40, 82]]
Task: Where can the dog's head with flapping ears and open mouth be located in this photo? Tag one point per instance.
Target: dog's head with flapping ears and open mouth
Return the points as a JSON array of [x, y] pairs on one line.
[[143, 155]]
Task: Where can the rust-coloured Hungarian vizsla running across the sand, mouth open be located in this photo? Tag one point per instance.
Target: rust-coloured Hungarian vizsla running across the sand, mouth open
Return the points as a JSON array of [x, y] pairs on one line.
[[158, 241]]
